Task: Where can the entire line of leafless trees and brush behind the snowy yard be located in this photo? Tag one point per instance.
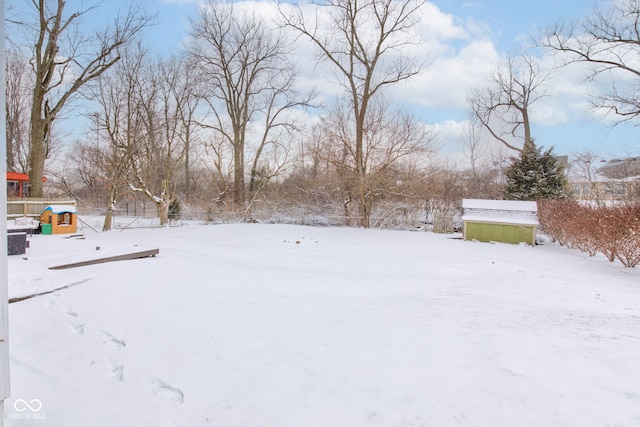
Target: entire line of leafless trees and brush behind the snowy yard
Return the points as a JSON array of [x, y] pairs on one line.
[[223, 127]]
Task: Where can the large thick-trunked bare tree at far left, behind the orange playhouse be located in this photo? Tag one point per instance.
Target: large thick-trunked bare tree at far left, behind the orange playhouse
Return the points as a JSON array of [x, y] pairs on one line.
[[64, 59]]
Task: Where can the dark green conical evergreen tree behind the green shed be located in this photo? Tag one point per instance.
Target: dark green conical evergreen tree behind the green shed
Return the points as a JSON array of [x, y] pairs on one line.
[[535, 176]]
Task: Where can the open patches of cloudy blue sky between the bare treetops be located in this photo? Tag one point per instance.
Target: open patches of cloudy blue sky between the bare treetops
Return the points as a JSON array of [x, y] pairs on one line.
[[460, 43]]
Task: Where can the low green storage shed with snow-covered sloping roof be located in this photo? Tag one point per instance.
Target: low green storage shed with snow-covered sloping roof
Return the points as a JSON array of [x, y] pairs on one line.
[[505, 221]]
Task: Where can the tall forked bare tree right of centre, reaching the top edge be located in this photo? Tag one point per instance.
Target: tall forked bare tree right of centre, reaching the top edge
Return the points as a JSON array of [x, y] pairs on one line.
[[363, 44]]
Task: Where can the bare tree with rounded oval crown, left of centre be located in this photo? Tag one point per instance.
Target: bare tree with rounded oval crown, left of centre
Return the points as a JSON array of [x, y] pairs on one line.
[[250, 84]]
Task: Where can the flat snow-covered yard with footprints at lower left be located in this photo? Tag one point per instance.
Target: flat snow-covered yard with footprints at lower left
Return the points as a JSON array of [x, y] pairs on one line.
[[283, 326]]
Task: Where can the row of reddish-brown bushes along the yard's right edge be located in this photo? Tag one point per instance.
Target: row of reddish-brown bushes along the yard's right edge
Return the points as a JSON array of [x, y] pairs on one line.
[[613, 230]]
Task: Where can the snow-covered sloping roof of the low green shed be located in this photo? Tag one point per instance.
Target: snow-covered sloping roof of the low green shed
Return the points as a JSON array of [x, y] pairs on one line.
[[500, 211]]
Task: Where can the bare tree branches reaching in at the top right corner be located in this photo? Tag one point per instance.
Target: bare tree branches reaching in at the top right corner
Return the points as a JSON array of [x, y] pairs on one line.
[[609, 41]]
